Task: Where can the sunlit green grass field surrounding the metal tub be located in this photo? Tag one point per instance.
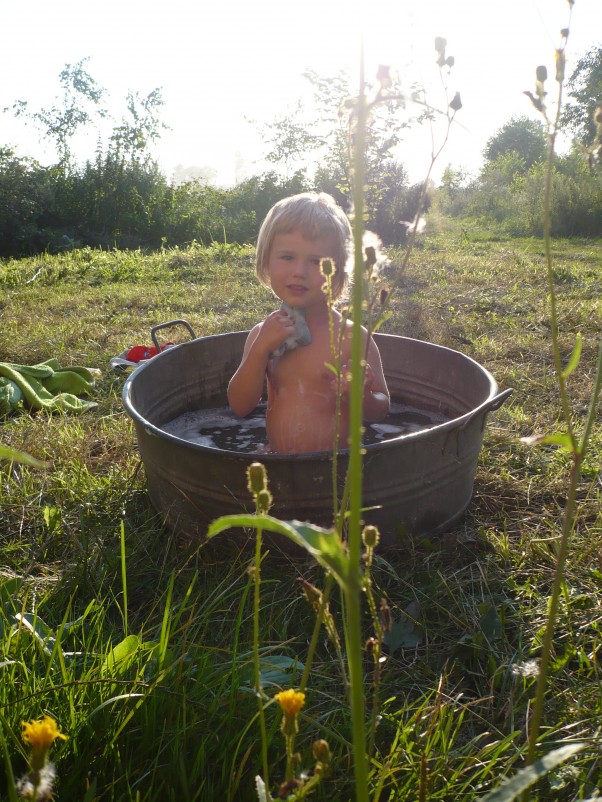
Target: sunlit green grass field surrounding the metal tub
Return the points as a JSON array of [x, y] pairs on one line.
[[139, 642]]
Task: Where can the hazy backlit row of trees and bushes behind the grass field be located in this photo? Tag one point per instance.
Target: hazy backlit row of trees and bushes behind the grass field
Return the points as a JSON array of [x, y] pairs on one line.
[[120, 198]]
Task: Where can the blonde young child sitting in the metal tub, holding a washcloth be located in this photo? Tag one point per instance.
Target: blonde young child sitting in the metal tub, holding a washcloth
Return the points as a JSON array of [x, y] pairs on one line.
[[292, 346]]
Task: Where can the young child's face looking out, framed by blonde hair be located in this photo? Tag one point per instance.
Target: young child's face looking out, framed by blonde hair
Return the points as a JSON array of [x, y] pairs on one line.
[[294, 268]]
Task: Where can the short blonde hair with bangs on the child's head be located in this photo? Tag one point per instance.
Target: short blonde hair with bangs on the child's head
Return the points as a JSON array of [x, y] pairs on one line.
[[314, 215]]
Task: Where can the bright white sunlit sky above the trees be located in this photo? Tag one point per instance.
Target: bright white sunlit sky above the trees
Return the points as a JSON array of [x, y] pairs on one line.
[[228, 67]]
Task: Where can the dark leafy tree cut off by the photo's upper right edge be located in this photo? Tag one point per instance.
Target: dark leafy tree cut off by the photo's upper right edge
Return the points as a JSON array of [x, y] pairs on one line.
[[584, 89]]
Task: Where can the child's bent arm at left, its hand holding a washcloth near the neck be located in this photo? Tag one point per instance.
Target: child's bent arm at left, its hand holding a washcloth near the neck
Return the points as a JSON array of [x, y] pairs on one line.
[[246, 386]]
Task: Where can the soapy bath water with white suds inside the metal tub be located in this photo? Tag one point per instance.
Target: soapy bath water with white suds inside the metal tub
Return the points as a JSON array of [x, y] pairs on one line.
[[220, 428]]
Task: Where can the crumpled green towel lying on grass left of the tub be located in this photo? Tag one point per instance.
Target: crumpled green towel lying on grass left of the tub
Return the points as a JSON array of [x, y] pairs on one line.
[[45, 386]]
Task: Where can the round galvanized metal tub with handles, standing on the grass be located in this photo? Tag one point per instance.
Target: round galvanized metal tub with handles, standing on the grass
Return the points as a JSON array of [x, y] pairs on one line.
[[418, 483]]
